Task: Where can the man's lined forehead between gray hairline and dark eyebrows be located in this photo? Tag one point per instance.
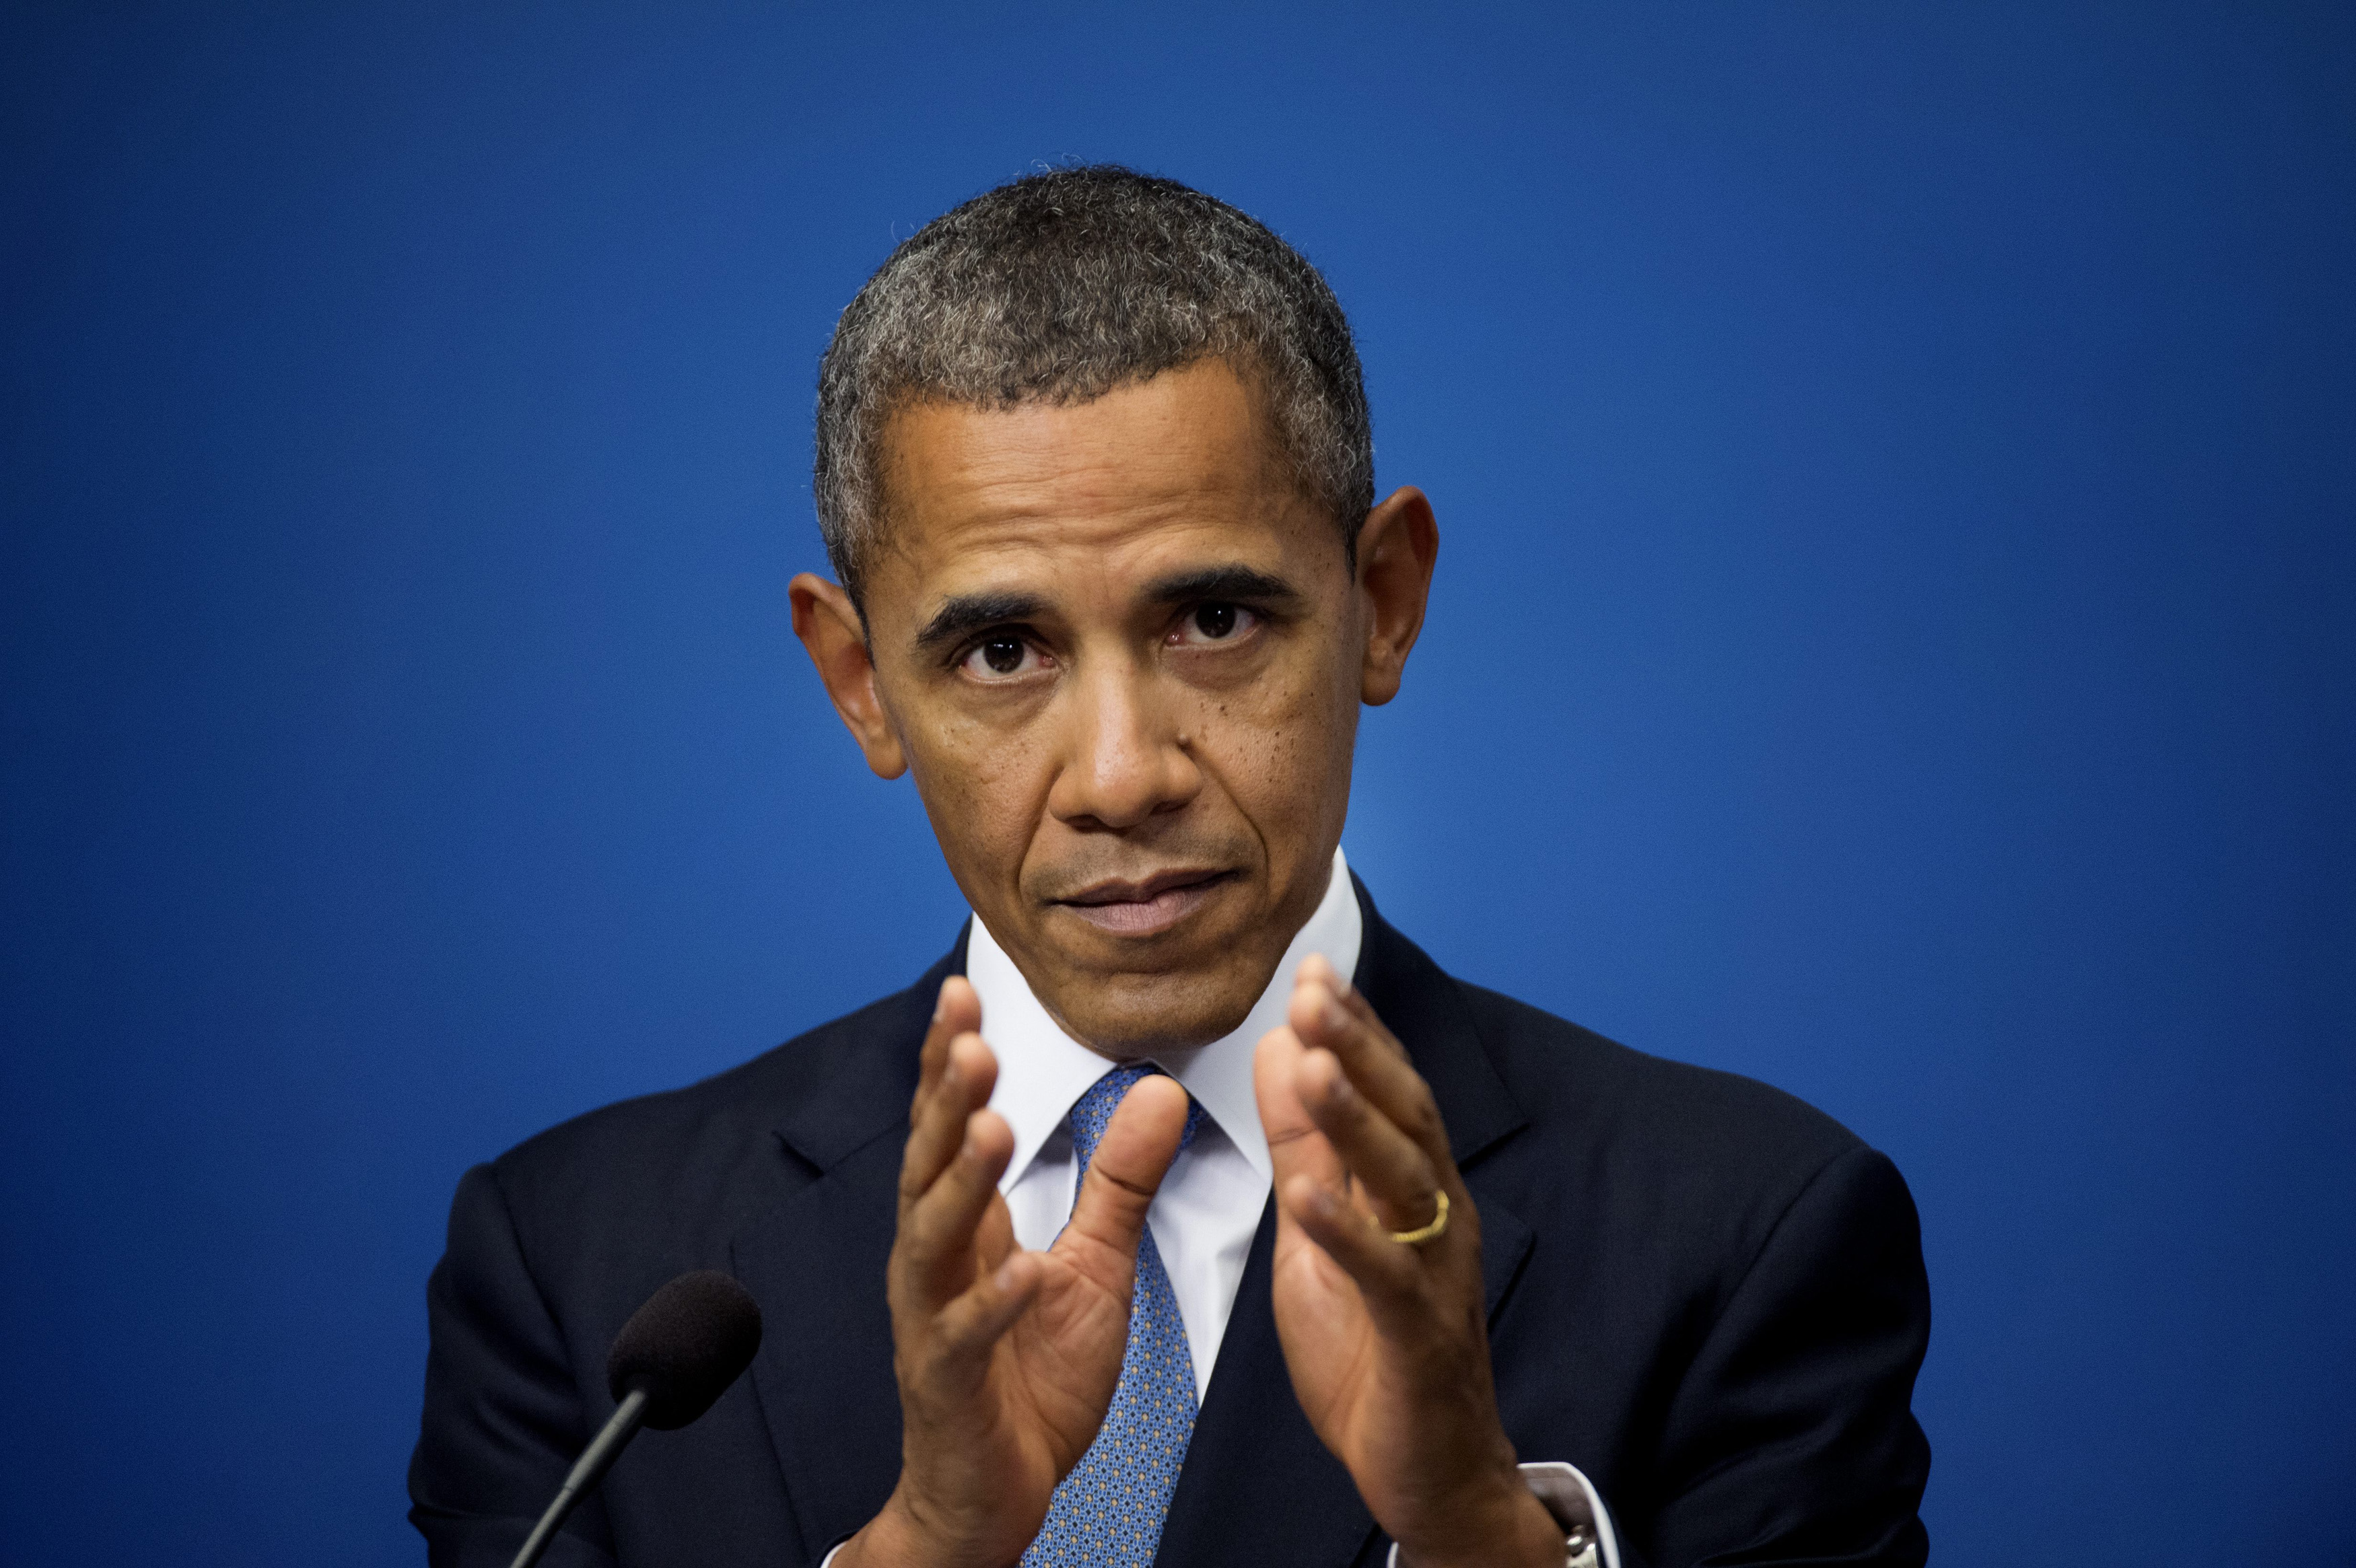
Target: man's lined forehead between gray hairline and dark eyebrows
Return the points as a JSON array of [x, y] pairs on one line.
[[1090, 496]]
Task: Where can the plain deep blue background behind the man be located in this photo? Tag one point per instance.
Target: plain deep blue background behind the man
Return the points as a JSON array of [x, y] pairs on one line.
[[1893, 639]]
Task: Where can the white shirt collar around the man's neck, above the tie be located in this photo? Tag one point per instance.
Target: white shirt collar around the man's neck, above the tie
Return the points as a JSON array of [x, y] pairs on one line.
[[1043, 1070]]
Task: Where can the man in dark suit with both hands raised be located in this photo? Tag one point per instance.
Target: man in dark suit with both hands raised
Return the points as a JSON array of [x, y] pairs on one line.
[[1186, 1214]]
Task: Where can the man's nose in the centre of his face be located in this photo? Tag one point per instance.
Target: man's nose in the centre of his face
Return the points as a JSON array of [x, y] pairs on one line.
[[1125, 755]]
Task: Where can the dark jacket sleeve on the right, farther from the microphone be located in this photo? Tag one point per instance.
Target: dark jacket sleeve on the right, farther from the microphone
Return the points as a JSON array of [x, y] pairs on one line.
[[1792, 1437]]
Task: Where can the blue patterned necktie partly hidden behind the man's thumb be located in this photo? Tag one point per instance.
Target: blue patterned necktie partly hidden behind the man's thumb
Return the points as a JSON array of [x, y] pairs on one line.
[[1108, 1510]]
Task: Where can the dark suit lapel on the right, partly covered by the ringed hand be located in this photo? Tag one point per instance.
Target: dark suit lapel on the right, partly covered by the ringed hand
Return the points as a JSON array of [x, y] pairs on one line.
[[1257, 1482]]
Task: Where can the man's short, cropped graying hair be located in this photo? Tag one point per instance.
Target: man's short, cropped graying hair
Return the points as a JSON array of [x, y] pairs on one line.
[[1071, 284]]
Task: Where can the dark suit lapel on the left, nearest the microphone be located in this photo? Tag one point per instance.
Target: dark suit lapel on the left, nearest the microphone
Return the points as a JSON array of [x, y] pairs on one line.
[[816, 1265]]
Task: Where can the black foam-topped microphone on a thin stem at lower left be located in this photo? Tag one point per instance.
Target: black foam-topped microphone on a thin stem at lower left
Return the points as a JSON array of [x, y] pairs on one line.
[[670, 1362]]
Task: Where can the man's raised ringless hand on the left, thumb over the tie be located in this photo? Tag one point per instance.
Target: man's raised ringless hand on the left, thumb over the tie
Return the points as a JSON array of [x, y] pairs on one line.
[[1007, 1360]]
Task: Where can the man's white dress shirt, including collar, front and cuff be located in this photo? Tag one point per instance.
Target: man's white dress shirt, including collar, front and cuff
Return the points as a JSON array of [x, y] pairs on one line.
[[1210, 1204]]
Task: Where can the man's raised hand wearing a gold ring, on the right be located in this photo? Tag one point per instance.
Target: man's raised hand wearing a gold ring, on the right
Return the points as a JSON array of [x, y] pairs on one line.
[[1387, 1341]]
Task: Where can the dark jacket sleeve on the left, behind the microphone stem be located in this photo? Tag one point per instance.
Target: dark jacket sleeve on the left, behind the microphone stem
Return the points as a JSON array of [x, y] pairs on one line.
[[503, 1414]]
